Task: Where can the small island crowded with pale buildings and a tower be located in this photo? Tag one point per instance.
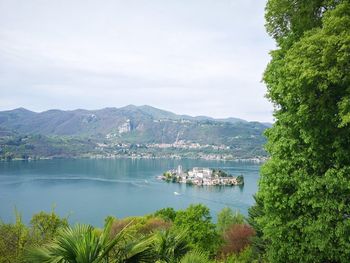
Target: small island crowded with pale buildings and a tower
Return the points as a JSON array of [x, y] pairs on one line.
[[202, 176]]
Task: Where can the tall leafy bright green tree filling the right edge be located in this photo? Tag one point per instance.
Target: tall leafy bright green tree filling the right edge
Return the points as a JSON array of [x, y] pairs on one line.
[[304, 195]]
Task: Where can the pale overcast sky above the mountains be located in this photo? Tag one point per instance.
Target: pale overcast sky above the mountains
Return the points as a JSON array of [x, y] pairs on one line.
[[195, 57]]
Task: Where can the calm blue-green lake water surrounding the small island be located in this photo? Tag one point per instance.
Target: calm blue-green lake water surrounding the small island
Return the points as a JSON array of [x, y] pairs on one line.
[[89, 190]]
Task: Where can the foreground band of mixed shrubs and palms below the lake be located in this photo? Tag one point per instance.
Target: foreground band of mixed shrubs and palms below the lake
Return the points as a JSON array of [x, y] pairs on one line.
[[148, 238]]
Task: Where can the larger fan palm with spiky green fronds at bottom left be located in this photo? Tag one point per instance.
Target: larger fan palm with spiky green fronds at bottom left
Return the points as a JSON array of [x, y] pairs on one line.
[[82, 244]]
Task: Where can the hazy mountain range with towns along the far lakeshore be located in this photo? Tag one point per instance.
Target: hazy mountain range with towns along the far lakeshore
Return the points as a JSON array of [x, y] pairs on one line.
[[131, 131]]
